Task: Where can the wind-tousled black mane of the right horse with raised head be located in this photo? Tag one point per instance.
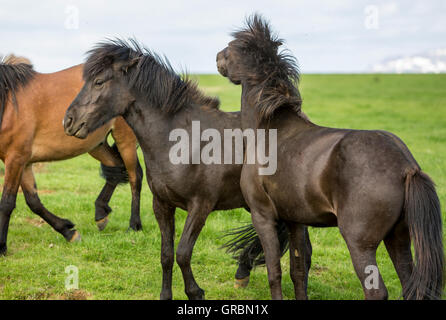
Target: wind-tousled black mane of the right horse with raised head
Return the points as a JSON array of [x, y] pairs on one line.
[[274, 73]]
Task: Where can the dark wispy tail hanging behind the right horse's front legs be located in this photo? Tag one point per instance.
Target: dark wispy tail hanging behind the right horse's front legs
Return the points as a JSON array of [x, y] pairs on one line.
[[245, 245]]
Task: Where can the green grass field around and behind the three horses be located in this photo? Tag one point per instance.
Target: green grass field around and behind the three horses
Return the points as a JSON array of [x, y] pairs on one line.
[[115, 264]]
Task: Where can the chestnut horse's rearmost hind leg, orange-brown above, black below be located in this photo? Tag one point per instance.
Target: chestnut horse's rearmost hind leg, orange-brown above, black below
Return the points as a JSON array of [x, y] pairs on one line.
[[126, 142]]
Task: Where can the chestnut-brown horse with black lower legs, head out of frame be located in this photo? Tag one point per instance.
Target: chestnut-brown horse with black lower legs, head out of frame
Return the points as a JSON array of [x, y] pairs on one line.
[[32, 107]]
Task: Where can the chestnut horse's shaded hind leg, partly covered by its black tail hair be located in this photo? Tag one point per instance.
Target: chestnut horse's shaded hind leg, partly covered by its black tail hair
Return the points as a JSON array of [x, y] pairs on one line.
[[107, 157]]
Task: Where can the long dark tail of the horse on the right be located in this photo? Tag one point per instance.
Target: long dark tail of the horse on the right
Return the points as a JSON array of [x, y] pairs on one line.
[[423, 217]]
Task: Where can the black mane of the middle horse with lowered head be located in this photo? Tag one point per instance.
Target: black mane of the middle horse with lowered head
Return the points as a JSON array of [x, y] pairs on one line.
[[153, 76]]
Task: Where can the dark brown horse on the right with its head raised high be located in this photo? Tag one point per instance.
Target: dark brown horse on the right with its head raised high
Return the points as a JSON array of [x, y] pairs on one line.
[[365, 182]]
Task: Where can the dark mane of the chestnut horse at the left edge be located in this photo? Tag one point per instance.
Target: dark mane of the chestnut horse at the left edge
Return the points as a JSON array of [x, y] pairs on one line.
[[15, 72]]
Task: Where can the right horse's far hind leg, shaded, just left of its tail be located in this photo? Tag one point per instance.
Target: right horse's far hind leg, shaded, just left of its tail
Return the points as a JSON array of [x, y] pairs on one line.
[[398, 246]]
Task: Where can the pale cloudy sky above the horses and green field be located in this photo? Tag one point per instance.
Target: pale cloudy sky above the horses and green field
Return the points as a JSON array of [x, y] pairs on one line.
[[326, 36]]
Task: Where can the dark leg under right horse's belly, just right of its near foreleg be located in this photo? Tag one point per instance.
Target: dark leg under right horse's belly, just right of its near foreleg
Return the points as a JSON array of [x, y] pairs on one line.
[[299, 264]]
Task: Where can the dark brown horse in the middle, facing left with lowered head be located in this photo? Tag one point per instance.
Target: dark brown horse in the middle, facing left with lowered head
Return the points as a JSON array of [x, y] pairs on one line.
[[123, 79]]
